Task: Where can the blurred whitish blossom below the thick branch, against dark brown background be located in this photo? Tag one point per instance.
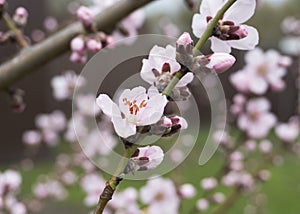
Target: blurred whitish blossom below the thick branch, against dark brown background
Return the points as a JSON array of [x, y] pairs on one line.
[[64, 85]]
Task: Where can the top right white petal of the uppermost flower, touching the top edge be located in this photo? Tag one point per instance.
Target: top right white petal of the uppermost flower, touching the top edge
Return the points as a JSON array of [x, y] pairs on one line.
[[234, 12]]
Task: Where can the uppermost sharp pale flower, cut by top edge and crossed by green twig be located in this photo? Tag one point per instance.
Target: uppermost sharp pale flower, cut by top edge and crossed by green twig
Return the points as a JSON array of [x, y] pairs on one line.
[[229, 32]]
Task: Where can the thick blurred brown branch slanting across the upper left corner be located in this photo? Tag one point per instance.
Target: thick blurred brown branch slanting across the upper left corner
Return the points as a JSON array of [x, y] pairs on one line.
[[33, 57]]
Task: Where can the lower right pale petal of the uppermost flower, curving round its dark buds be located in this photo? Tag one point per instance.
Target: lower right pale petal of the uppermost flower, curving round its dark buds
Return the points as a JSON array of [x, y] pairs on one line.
[[247, 43]]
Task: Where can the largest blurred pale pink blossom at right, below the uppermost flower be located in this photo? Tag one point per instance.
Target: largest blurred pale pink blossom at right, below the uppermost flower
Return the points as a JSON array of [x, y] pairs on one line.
[[263, 71]]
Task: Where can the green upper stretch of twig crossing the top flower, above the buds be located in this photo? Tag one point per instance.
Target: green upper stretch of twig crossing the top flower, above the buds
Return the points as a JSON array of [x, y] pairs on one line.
[[210, 27]]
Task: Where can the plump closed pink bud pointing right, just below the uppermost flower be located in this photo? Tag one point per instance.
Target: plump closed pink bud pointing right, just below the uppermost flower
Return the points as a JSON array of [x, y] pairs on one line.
[[220, 62]]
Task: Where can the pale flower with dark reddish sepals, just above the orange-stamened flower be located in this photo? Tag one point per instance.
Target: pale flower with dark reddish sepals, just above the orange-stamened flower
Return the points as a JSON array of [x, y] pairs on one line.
[[160, 67]]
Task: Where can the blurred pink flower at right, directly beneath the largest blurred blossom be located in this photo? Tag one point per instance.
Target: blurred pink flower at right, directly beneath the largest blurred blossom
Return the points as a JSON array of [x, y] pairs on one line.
[[257, 120]]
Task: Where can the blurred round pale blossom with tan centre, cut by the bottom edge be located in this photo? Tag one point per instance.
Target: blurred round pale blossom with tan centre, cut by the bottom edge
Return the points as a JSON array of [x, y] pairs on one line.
[[160, 195]]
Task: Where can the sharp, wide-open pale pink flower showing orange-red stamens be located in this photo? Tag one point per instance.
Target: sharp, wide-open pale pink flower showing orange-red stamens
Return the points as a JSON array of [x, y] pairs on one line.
[[134, 109]]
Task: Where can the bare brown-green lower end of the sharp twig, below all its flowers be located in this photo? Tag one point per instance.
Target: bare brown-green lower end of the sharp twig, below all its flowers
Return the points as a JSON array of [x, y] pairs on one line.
[[114, 181]]
